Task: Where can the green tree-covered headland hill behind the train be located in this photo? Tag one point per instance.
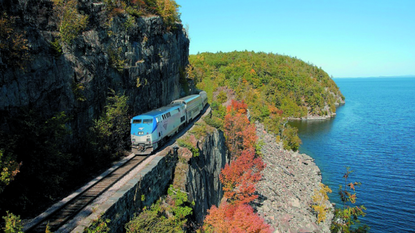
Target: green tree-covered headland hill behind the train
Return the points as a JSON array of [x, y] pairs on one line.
[[274, 87]]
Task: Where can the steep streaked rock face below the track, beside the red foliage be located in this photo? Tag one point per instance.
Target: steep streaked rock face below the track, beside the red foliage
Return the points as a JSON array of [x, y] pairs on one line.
[[202, 180]]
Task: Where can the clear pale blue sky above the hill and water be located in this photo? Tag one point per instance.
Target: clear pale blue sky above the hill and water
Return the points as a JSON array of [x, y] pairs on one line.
[[346, 38]]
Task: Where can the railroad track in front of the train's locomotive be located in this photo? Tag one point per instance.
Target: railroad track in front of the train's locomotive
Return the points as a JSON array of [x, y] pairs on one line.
[[68, 210]]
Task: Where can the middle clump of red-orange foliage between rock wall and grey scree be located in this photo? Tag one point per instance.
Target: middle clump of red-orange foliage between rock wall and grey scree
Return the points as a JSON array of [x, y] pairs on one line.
[[240, 177]]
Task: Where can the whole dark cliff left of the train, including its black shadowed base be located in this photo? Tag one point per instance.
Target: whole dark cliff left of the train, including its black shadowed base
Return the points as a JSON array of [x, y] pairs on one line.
[[138, 57]]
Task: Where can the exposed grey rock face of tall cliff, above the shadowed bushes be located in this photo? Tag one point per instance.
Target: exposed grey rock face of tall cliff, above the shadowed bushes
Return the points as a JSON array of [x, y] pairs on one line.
[[143, 60]]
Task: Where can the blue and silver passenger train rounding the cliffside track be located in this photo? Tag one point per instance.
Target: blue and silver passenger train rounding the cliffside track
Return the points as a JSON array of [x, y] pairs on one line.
[[151, 130]]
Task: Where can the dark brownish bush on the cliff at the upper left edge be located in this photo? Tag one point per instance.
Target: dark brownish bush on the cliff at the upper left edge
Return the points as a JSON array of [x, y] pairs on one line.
[[14, 48]]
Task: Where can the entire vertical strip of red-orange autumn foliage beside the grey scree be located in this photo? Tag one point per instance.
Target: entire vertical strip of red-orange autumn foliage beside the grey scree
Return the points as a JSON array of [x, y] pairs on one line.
[[239, 178]]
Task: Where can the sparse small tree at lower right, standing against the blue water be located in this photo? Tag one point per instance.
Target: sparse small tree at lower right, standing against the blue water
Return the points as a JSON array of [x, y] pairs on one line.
[[346, 219]]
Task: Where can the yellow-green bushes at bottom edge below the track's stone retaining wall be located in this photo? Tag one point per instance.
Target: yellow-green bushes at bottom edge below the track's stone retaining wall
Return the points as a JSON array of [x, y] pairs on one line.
[[167, 215]]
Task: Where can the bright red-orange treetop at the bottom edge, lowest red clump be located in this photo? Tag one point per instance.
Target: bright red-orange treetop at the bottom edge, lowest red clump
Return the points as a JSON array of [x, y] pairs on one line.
[[234, 218]]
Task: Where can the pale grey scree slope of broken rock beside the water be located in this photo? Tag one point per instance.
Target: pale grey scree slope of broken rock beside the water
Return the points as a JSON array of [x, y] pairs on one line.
[[287, 187]]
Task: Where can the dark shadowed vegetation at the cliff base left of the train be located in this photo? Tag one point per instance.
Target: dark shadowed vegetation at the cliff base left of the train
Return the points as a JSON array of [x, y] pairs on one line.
[[37, 165]]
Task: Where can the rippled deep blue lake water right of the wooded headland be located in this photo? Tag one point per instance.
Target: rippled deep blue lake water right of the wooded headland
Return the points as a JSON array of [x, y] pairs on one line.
[[374, 134]]
